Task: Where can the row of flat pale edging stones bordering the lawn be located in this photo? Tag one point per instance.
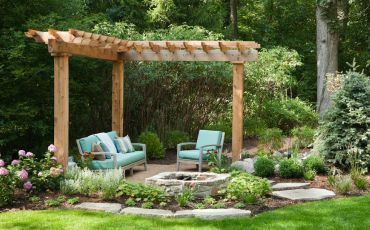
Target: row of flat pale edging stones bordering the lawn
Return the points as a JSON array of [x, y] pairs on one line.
[[208, 214]]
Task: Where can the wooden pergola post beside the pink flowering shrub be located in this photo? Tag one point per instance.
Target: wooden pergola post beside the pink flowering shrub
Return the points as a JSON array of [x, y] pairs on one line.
[[61, 107]]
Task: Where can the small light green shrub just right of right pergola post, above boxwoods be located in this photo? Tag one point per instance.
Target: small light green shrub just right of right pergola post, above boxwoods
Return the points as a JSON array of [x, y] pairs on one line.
[[272, 139]]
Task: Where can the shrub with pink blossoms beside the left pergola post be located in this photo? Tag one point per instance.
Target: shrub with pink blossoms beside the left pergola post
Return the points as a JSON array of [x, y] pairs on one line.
[[29, 174]]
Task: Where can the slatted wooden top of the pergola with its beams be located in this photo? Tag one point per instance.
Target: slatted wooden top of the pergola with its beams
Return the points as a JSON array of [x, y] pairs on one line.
[[81, 43]]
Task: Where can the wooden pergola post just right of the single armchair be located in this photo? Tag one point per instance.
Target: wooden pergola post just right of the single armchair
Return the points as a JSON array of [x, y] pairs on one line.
[[237, 125]]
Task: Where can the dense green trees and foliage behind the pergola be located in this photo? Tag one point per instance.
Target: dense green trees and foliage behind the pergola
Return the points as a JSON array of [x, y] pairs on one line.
[[164, 96]]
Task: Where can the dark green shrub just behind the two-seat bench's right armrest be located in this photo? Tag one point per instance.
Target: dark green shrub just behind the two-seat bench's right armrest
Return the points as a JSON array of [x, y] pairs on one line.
[[154, 147]]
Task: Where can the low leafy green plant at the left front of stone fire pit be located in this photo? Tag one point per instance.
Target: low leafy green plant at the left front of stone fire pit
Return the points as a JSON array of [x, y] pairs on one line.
[[141, 192]]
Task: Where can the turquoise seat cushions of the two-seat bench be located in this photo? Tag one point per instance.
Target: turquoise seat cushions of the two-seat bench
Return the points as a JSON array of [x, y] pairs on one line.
[[122, 160]]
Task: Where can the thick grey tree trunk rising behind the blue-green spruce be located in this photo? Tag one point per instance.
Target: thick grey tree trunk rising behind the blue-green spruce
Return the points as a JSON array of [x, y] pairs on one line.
[[327, 41]]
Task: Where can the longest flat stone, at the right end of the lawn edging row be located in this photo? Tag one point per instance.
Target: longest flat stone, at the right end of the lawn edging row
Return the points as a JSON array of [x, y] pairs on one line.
[[213, 214]]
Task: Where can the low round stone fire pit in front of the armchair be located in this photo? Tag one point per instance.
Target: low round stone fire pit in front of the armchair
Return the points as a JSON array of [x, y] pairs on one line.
[[204, 184]]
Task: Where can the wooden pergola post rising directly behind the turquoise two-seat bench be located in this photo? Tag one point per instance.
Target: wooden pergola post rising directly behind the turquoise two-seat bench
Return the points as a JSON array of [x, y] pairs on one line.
[[117, 96]]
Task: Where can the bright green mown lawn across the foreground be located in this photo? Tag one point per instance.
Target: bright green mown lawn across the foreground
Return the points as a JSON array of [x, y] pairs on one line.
[[345, 213]]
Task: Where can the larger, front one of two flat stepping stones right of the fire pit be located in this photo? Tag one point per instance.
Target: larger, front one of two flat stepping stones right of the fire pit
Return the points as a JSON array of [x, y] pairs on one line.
[[304, 194]]
